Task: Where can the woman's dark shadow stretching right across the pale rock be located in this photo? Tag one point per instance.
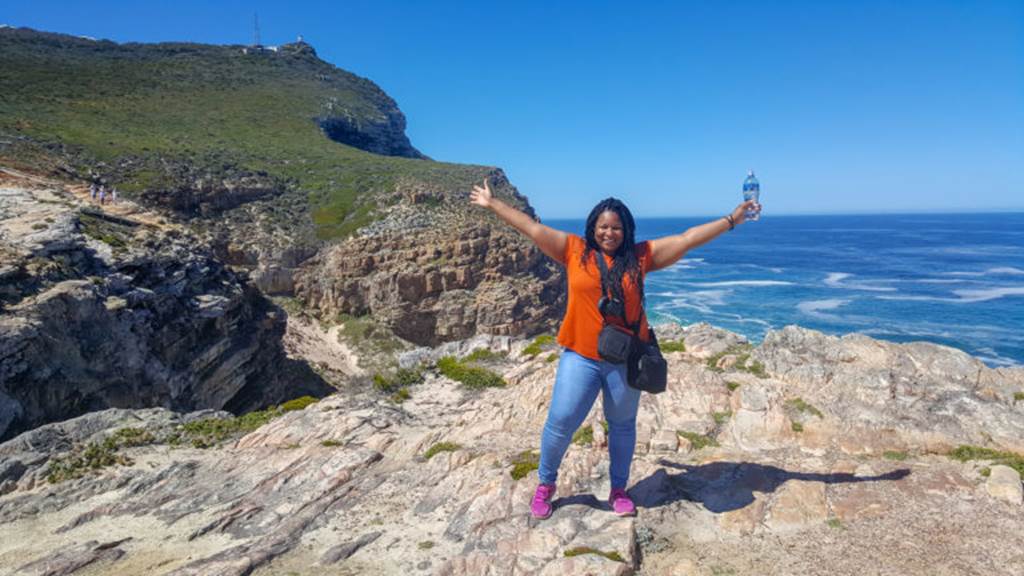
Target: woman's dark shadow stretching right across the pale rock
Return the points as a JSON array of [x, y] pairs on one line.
[[722, 487]]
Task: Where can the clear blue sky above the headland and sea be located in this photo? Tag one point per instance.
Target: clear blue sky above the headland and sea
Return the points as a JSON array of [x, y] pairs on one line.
[[840, 107]]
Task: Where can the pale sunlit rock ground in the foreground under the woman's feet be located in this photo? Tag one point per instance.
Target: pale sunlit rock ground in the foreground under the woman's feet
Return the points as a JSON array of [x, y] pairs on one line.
[[808, 455]]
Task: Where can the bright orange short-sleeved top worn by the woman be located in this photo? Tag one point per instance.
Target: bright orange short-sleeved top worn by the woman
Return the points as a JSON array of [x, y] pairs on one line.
[[583, 321]]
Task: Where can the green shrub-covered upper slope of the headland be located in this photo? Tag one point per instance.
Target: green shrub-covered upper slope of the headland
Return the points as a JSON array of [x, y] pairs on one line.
[[208, 106]]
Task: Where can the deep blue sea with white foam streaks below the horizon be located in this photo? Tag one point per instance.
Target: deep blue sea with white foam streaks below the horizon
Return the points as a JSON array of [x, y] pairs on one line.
[[952, 279]]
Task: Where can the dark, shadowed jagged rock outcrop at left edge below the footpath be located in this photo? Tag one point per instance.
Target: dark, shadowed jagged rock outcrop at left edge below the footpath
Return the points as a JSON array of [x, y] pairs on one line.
[[102, 310]]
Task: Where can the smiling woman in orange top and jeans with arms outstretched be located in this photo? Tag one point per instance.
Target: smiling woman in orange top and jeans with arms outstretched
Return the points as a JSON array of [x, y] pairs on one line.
[[582, 374]]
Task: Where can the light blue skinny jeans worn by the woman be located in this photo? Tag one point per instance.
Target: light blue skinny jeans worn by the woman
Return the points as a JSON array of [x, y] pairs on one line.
[[577, 384]]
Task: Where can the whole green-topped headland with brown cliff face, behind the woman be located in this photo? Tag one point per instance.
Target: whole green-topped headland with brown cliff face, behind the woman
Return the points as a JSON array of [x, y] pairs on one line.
[[273, 157]]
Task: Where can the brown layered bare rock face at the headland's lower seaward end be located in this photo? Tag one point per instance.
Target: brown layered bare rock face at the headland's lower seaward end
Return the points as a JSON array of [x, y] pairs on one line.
[[436, 274]]
